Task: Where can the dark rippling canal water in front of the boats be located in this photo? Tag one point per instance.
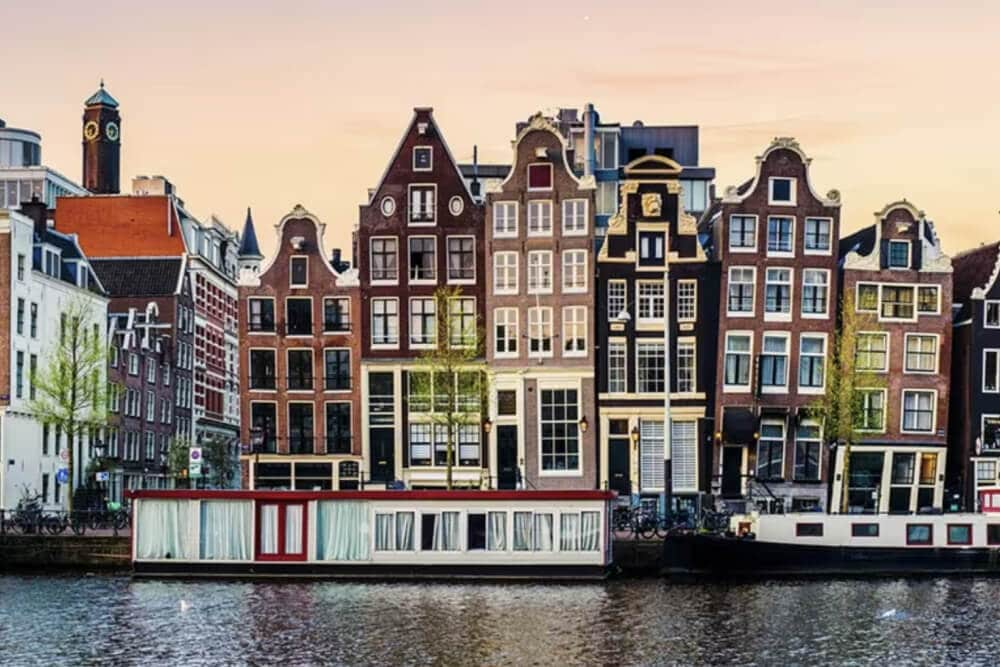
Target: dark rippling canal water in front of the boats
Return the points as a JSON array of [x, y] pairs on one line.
[[46, 620]]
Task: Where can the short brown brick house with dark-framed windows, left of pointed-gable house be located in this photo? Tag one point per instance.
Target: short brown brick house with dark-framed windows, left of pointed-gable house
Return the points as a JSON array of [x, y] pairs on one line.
[[300, 350]]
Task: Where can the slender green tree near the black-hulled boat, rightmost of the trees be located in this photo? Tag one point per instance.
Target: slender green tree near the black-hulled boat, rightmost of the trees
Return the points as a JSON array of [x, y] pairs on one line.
[[841, 409]]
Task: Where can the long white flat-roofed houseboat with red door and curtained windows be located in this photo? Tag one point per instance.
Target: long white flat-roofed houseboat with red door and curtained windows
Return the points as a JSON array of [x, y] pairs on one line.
[[547, 535]]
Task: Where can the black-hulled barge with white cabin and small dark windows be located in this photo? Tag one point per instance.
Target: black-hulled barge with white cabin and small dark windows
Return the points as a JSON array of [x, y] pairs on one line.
[[808, 544]]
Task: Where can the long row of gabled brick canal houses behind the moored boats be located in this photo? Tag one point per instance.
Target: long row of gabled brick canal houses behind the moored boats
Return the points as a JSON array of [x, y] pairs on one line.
[[640, 333]]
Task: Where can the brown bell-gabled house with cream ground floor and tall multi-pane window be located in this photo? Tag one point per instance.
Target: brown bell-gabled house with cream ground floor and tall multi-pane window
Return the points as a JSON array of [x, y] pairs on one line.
[[540, 319]]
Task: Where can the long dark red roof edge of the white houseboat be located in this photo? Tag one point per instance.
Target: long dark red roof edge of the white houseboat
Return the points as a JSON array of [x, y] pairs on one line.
[[208, 494]]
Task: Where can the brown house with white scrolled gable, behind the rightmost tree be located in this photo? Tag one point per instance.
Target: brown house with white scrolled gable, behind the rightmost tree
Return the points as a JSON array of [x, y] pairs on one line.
[[900, 284]]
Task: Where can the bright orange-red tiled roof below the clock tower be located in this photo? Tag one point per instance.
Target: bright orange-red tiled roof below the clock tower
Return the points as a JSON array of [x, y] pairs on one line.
[[122, 226]]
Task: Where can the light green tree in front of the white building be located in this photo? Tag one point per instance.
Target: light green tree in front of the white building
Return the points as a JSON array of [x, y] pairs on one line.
[[70, 389]]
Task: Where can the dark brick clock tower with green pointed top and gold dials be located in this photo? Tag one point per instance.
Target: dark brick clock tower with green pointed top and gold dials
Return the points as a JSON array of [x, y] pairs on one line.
[[101, 143]]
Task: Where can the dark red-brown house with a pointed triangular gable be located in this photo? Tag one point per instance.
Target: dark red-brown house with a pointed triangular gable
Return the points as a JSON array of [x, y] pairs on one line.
[[420, 230]]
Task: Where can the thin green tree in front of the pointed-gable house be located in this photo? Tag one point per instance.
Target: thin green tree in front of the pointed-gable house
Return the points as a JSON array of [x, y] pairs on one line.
[[451, 381]]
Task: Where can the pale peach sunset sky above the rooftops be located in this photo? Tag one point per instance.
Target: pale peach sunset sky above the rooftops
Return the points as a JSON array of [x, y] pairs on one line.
[[269, 104]]
